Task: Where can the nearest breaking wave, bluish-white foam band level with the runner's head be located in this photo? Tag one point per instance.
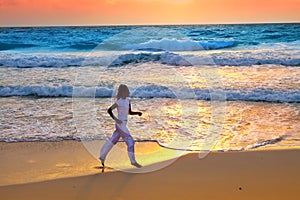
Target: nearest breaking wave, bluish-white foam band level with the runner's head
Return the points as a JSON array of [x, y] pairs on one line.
[[152, 91]]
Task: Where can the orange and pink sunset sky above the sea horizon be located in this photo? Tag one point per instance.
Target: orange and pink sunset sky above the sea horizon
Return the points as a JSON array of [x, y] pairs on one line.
[[118, 12]]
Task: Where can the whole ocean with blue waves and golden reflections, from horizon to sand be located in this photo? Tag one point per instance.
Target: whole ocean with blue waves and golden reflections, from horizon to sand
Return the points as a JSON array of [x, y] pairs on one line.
[[200, 87]]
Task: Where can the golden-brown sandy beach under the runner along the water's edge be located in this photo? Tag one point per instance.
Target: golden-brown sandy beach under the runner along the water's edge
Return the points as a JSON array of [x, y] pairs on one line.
[[66, 170]]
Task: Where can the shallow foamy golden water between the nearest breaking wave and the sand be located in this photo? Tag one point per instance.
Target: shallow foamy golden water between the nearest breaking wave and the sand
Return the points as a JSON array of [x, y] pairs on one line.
[[52, 119]]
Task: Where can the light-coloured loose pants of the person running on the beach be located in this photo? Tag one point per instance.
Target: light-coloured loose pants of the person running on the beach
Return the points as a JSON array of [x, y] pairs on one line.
[[121, 131]]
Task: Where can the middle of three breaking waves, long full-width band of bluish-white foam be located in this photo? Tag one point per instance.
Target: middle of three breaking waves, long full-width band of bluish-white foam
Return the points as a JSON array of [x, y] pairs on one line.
[[226, 58]]
